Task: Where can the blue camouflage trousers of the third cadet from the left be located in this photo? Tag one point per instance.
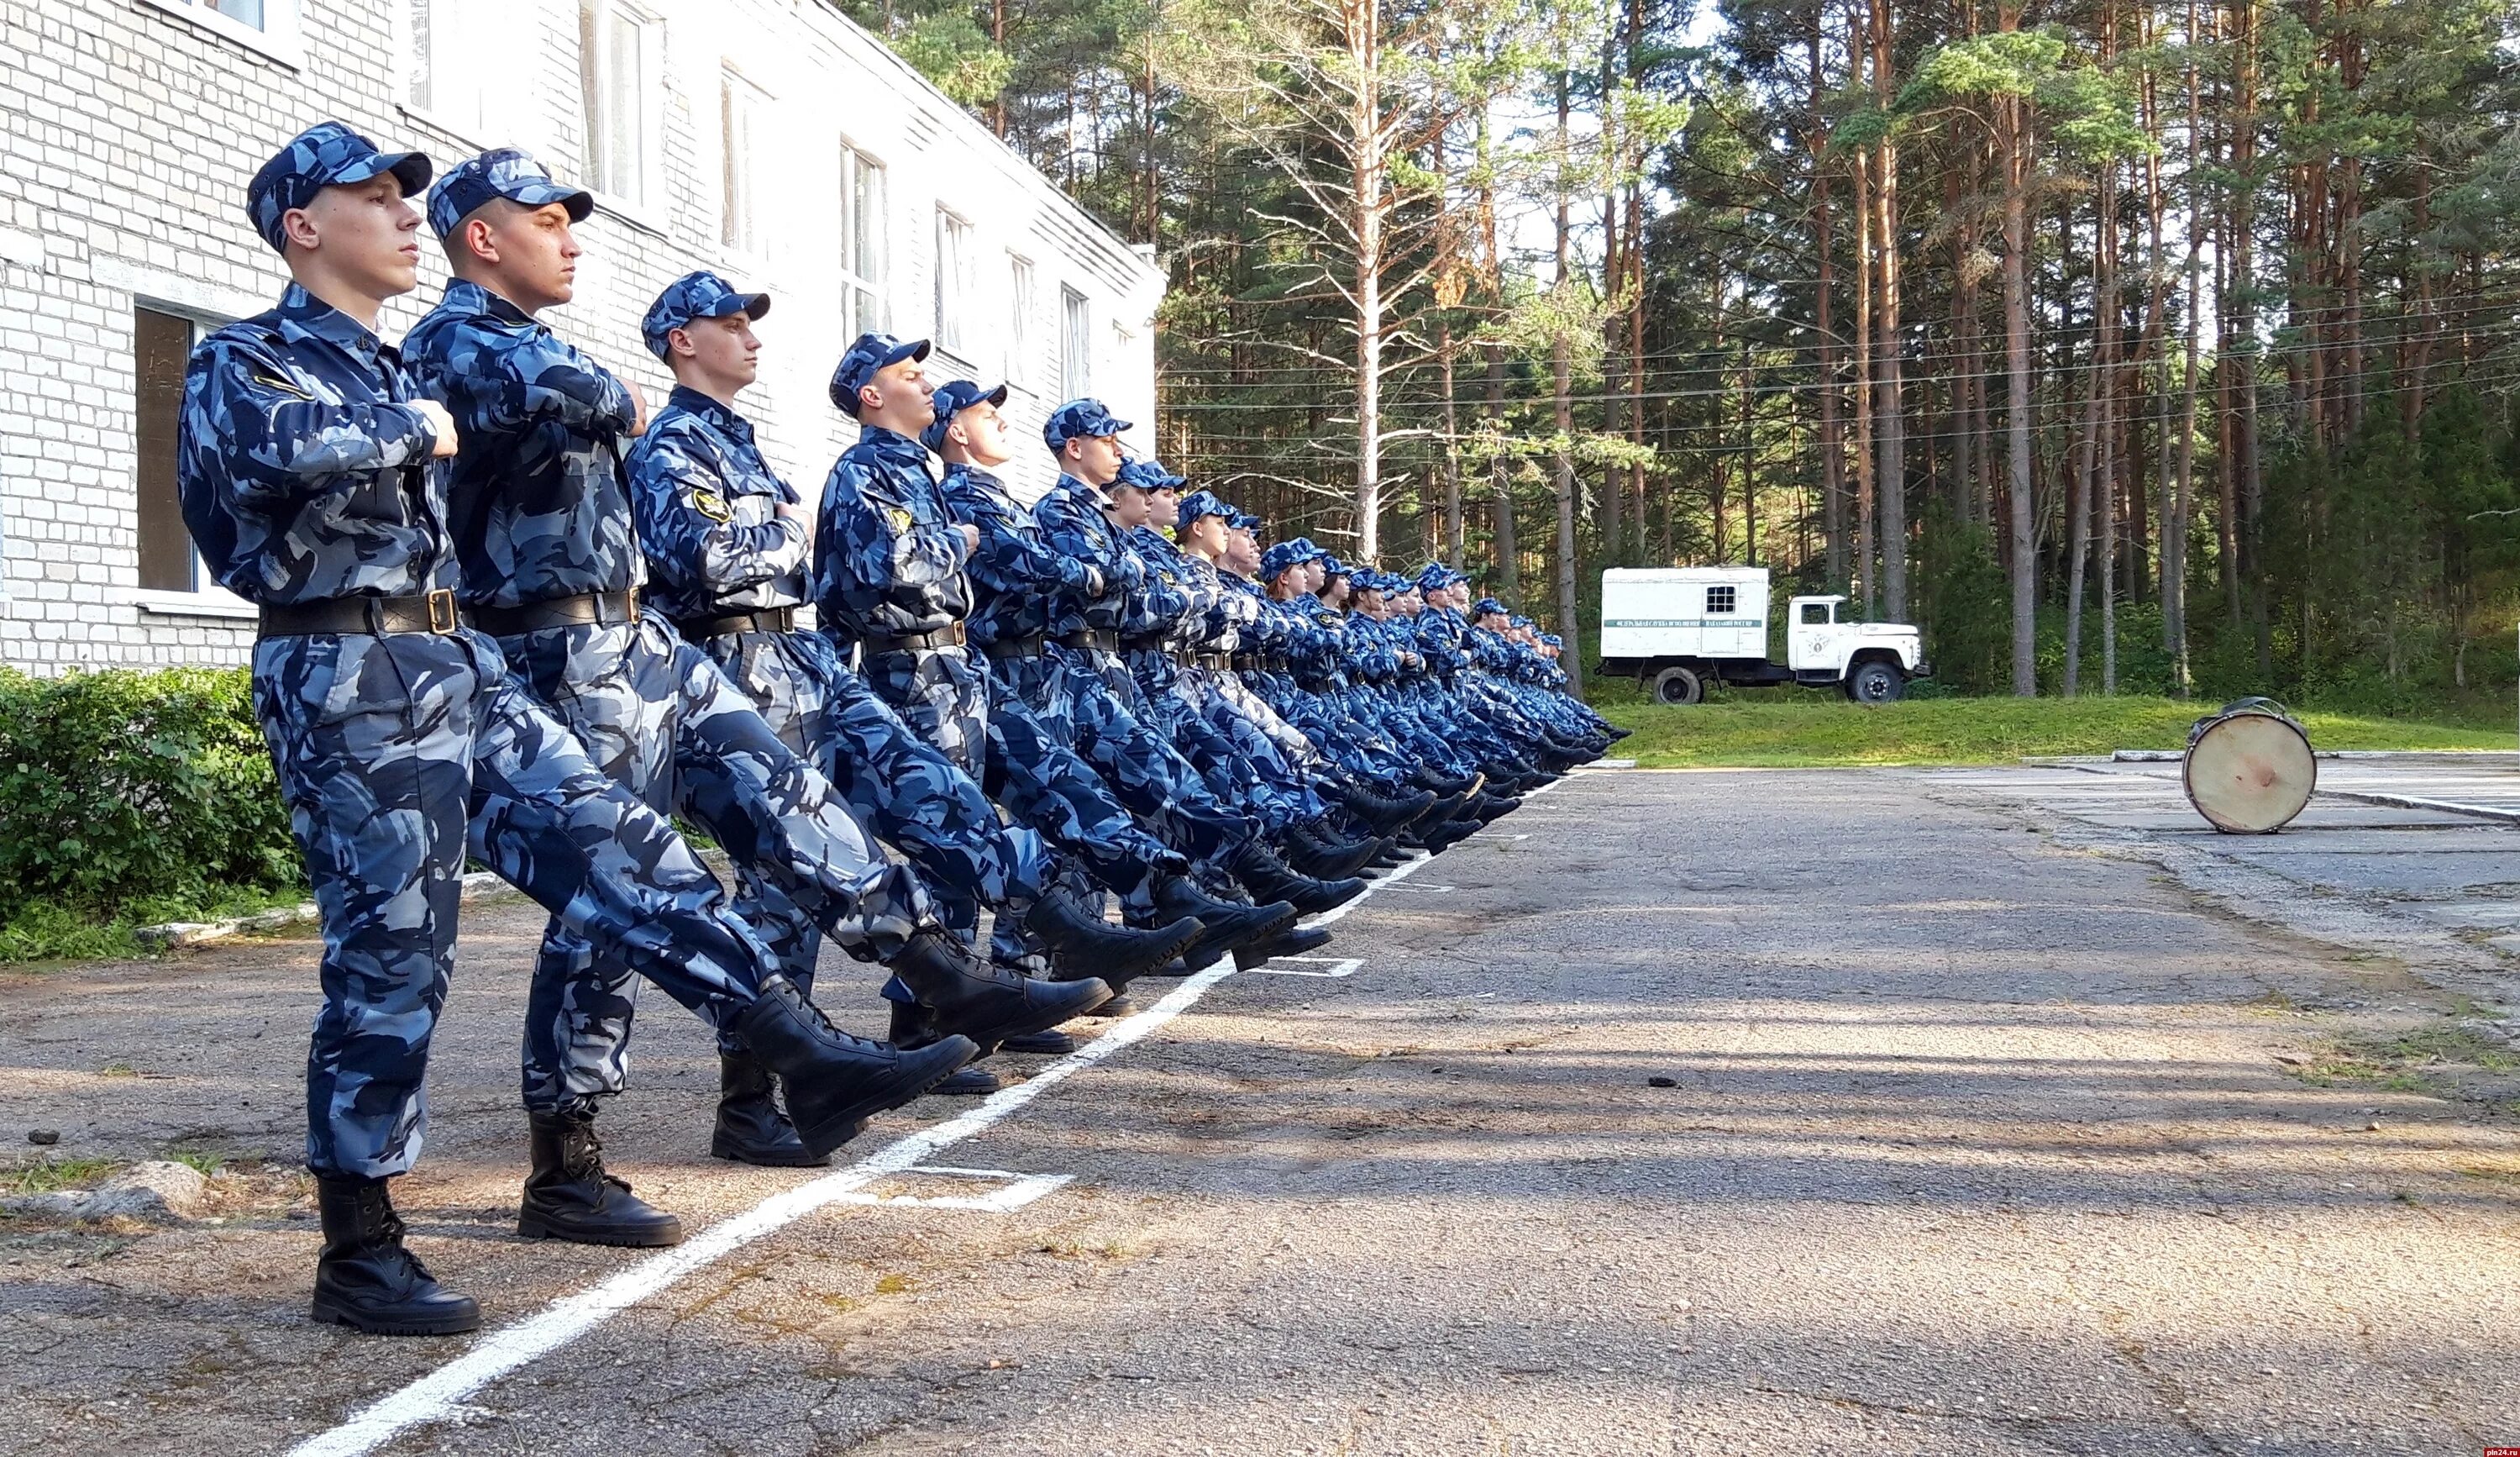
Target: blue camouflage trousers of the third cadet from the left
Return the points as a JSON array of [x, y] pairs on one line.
[[901, 785]]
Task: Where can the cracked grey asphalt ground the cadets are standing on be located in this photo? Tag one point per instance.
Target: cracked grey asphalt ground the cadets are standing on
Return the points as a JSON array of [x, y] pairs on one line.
[[1977, 1138]]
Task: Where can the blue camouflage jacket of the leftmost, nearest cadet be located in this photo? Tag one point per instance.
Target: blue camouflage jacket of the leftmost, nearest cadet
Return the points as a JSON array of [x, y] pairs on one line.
[[301, 468]]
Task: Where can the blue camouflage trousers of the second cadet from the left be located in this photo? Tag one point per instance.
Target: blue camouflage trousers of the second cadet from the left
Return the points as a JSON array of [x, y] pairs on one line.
[[667, 725]]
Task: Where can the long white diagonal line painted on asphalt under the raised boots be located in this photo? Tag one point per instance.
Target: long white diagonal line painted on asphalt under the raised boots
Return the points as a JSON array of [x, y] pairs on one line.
[[442, 1393]]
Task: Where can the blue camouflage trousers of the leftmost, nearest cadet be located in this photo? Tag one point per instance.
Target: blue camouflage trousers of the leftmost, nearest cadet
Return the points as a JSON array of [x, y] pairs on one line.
[[397, 755]]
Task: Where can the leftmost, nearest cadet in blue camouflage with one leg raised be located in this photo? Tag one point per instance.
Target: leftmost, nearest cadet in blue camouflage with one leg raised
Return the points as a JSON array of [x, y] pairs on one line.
[[314, 485]]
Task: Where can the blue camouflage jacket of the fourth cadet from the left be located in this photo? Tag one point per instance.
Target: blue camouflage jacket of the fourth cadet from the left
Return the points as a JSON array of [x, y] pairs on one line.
[[888, 556]]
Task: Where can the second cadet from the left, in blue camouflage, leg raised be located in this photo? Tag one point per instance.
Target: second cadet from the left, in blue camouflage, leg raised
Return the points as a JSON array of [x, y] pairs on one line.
[[543, 533]]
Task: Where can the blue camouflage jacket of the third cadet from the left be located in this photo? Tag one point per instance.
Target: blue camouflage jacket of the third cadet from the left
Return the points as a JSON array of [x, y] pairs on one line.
[[709, 513]]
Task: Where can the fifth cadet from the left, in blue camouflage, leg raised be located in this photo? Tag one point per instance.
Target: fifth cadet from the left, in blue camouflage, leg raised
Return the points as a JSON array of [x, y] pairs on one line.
[[1032, 768]]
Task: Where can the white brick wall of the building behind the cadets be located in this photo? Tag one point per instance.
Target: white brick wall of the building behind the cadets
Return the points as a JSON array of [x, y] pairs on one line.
[[132, 132]]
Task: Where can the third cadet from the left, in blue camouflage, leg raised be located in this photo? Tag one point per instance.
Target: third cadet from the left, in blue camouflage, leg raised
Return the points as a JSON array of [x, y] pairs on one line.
[[727, 543]]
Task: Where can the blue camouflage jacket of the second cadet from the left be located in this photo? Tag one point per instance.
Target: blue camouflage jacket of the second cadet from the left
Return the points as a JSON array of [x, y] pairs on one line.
[[538, 498]]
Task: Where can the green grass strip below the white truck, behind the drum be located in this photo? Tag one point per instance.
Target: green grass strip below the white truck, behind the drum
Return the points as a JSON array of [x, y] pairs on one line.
[[1798, 730]]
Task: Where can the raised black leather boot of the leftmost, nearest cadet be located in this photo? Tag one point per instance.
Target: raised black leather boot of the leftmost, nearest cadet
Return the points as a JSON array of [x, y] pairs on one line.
[[833, 1080]]
